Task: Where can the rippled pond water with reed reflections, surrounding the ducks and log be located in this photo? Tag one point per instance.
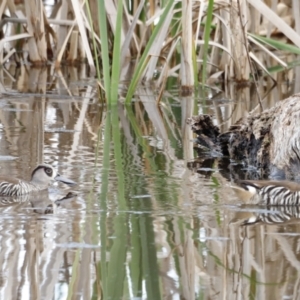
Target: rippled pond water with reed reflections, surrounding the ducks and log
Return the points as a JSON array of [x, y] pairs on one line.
[[143, 225]]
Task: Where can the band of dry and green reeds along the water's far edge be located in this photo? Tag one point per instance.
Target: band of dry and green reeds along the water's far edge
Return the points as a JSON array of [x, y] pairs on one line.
[[197, 43]]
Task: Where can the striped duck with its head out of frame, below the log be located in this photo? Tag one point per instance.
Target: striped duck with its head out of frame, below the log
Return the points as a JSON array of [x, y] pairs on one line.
[[272, 192]]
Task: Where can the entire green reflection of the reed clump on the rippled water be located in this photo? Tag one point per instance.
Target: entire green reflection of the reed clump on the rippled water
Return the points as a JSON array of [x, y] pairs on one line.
[[133, 242]]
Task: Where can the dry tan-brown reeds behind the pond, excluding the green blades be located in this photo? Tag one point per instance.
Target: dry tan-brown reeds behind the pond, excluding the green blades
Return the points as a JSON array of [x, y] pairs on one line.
[[64, 34]]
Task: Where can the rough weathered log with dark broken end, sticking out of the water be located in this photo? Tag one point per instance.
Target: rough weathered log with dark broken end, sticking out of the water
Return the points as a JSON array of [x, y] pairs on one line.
[[266, 143]]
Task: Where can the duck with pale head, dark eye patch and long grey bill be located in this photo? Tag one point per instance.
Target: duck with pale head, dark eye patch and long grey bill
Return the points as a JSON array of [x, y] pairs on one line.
[[41, 178]]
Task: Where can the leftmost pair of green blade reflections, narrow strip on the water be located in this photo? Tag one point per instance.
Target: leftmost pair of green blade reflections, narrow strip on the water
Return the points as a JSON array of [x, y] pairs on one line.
[[113, 272]]
